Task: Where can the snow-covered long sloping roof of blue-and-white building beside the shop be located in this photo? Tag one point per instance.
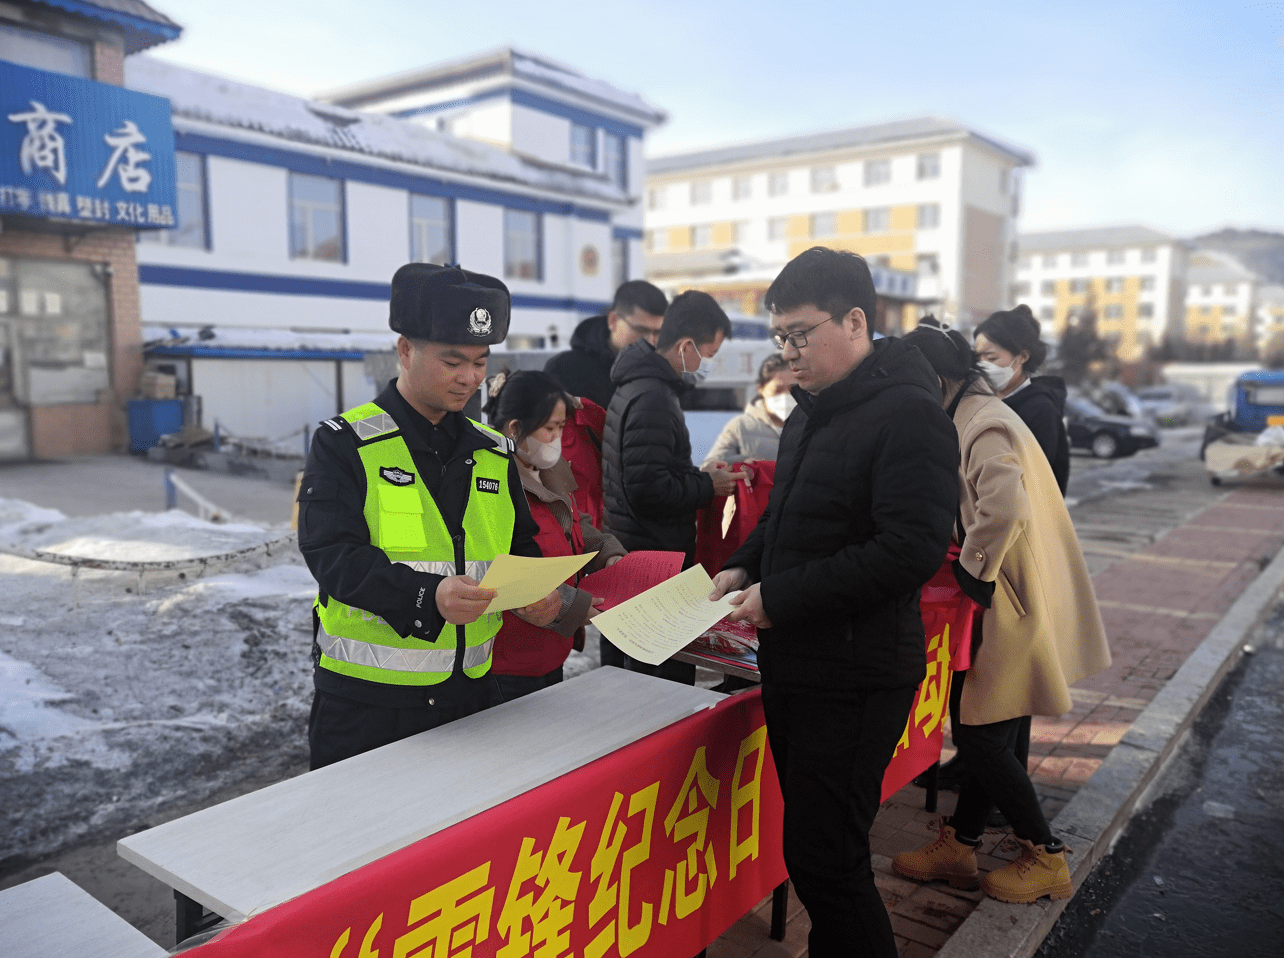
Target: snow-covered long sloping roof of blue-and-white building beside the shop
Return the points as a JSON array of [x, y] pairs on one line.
[[211, 100]]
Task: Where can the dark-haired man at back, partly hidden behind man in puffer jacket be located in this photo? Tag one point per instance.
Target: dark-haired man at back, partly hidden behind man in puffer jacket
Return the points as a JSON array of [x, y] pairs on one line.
[[586, 368]]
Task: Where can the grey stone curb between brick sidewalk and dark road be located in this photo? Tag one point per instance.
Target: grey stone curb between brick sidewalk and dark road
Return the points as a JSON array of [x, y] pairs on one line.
[[1093, 820]]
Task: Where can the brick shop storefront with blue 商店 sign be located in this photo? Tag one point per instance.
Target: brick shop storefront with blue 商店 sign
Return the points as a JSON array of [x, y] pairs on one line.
[[84, 166]]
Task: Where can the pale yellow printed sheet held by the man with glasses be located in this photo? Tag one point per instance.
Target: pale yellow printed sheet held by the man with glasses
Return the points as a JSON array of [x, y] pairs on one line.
[[658, 623]]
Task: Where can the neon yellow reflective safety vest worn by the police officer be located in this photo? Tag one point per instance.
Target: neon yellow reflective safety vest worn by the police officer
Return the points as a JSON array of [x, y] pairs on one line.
[[406, 523]]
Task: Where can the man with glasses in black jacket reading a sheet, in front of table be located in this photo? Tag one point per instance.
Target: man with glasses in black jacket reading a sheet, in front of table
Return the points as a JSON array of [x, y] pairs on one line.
[[860, 518]]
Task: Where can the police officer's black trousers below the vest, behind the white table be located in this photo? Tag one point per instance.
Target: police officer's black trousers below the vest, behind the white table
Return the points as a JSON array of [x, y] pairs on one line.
[[341, 727]]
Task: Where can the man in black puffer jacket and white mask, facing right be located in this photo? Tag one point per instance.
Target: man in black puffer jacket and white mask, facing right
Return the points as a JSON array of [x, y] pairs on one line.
[[650, 487]]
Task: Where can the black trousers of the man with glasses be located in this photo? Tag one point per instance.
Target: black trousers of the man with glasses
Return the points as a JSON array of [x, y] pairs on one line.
[[831, 751]]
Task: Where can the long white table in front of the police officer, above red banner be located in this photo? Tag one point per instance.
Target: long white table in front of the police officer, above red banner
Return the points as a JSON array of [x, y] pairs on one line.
[[257, 851]]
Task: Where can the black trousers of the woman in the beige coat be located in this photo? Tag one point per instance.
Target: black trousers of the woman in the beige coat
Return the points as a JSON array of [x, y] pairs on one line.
[[993, 775]]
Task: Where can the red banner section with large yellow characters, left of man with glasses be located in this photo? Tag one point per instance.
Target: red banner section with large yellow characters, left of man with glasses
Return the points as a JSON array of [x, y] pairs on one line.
[[653, 851]]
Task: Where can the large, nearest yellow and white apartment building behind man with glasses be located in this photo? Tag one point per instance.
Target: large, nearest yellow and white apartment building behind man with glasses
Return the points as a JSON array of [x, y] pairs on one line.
[[932, 205]]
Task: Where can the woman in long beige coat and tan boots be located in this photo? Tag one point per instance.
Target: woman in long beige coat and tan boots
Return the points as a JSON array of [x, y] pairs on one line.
[[1041, 632]]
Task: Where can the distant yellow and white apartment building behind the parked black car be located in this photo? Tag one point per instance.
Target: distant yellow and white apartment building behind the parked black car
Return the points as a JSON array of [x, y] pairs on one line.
[[1134, 277]]
